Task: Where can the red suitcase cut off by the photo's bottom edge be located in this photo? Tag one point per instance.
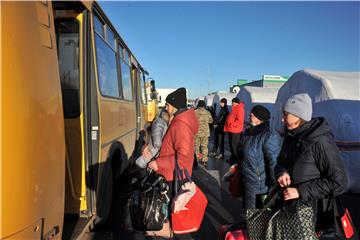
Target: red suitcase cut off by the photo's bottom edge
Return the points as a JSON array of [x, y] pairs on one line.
[[235, 231]]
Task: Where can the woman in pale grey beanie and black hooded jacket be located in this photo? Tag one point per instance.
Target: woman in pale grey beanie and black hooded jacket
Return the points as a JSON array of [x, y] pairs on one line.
[[309, 167]]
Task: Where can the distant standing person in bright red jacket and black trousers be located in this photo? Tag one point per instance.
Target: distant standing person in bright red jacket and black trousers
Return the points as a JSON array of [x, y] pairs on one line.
[[234, 126]]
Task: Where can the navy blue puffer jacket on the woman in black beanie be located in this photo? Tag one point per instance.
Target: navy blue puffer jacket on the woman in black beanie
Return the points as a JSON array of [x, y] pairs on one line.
[[258, 151]]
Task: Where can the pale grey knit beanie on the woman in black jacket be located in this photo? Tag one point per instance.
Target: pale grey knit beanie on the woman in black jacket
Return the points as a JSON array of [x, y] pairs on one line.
[[299, 105]]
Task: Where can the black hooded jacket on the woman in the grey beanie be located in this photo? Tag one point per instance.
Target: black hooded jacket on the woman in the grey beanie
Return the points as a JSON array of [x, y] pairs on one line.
[[310, 156]]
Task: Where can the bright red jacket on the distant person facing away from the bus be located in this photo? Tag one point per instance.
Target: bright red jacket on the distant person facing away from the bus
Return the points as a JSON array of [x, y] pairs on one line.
[[235, 121]]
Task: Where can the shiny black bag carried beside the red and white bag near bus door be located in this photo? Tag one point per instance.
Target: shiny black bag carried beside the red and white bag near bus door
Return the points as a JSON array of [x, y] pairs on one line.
[[149, 203]]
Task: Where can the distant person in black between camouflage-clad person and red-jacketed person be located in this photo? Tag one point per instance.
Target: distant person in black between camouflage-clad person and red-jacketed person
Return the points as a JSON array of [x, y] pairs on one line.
[[218, 147]]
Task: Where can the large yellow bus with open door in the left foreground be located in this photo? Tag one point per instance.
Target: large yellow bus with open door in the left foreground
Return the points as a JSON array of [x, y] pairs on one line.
[[72, 105]]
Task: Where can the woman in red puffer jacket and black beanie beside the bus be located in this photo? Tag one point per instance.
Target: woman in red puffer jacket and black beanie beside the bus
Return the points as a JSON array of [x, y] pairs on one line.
[[179, 140]]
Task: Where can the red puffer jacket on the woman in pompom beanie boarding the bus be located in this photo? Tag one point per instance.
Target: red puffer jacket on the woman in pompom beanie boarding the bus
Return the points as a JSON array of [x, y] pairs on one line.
[[179, 139]]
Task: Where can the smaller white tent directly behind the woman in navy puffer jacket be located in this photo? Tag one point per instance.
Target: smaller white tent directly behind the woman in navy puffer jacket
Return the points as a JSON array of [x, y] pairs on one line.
[[252, 96]]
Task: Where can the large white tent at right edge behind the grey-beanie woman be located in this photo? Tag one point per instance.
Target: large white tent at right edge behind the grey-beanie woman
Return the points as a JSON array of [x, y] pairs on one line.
[[335, 96]]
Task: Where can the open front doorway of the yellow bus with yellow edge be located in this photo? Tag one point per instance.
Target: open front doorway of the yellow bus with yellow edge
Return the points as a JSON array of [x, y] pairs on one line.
[[80, 108]]
